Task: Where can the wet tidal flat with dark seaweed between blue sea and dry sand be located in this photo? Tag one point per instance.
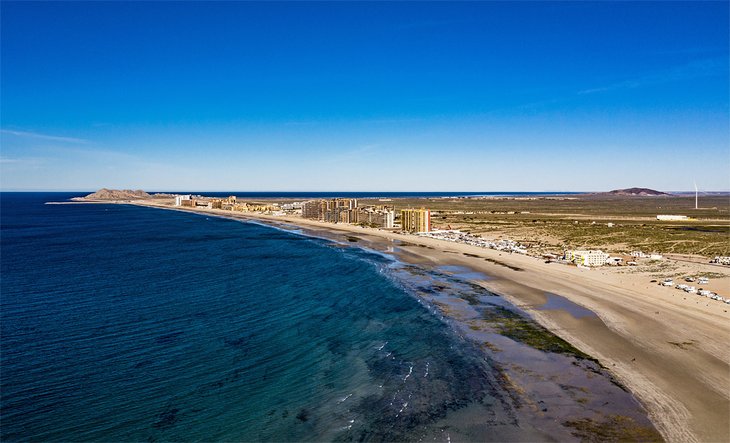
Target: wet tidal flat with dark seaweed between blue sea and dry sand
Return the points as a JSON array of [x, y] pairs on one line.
[[552, 385]]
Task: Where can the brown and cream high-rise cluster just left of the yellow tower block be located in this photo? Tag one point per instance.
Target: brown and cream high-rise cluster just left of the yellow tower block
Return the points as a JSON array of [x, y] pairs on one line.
[[346, 210]]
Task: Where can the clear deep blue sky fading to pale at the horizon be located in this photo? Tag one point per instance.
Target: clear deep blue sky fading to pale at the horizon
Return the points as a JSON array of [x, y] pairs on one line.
[[480, 96]]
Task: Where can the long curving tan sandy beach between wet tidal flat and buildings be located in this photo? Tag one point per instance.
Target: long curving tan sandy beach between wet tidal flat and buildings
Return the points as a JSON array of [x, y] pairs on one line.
[[669, 348]]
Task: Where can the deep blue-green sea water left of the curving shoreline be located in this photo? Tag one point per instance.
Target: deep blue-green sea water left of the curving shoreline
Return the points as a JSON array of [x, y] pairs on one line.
[[122, 323]]
